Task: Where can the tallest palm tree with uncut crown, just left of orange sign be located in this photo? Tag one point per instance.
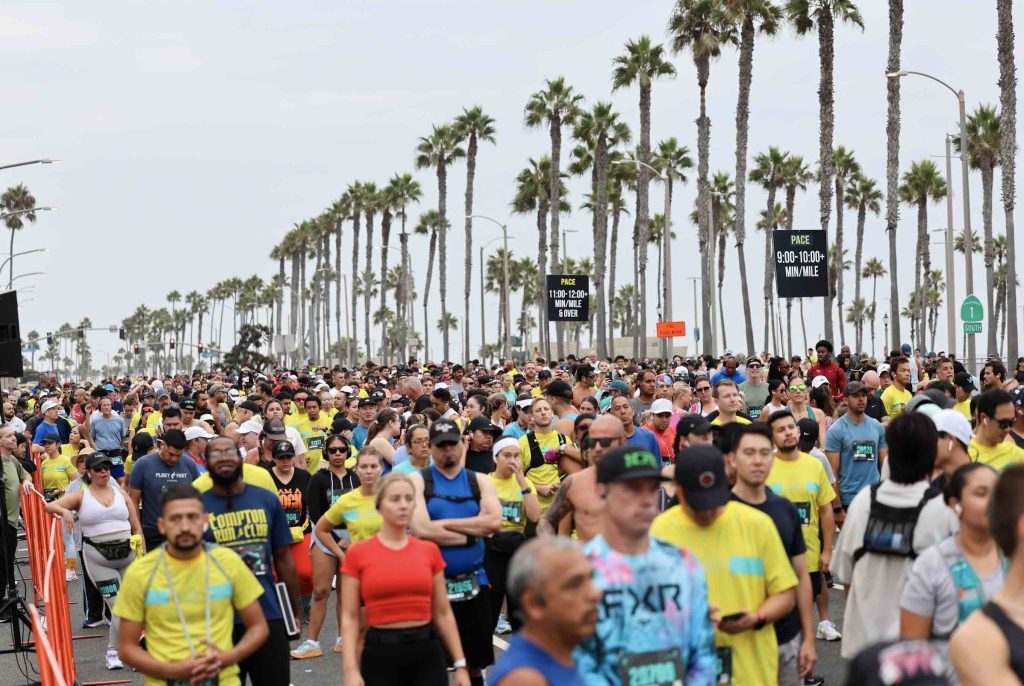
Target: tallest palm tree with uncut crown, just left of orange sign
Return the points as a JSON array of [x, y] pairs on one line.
[[642, 64]]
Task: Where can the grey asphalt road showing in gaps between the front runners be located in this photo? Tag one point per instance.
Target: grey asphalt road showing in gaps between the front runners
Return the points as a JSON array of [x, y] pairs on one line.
[[317, 672]]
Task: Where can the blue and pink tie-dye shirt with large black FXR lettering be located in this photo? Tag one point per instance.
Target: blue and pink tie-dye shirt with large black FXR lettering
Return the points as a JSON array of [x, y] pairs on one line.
[[652, 603]]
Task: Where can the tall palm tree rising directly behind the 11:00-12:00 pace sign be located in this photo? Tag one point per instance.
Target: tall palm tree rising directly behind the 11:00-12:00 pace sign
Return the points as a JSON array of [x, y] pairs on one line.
[[558, 106]]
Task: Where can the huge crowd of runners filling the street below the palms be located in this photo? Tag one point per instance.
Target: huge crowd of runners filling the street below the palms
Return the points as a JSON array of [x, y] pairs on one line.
[[630, 523]]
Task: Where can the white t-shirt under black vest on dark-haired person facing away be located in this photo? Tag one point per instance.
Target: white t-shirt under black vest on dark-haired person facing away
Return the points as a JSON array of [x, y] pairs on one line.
[[877, 581]]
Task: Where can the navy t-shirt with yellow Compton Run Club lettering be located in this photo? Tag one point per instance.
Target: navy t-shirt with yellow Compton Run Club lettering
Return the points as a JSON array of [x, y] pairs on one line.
[[254, 527]]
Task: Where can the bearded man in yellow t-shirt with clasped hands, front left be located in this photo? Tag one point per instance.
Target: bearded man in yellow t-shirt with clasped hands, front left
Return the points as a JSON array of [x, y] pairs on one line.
[[189, 635]]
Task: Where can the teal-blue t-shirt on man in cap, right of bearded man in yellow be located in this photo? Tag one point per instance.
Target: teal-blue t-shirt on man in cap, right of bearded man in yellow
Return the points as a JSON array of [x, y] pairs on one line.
[[859, 447]]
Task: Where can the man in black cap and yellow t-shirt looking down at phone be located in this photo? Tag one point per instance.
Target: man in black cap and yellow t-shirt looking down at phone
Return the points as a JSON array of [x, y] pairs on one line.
[[750, 578]]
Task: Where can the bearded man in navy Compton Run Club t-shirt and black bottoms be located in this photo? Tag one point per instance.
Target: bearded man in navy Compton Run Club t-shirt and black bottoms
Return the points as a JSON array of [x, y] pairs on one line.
[[252, 523]]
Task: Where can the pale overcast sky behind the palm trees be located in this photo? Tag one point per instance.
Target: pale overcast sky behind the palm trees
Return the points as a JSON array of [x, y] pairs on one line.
[[193, 136]]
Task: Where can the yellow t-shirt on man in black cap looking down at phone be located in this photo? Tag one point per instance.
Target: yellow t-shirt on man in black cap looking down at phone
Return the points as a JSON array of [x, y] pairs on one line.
[[745, 563]]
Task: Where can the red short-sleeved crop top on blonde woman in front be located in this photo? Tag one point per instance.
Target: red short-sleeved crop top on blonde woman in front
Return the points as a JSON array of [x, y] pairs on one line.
[[396, 585]]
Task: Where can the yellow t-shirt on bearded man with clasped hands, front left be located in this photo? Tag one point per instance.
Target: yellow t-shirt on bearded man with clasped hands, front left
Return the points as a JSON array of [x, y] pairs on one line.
[[232, 587]]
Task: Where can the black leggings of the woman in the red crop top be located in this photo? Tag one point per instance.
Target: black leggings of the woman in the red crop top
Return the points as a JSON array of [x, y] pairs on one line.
[[404, 658]]
